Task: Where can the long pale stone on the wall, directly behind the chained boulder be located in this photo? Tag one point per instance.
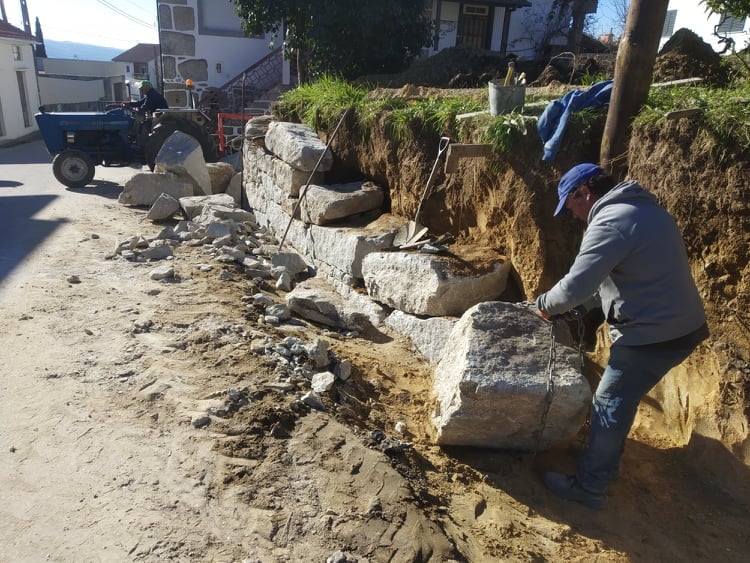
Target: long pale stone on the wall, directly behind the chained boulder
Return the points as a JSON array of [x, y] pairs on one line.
[[424, 284]]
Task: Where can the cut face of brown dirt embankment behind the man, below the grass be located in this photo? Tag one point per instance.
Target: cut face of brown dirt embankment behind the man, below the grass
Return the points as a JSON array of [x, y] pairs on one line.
[[507, 205]]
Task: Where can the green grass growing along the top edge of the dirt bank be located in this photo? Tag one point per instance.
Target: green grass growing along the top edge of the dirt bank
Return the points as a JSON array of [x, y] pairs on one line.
[[725, 113]]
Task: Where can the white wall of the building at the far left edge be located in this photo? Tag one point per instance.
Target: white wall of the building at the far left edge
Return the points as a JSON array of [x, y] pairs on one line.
[[19, 94]]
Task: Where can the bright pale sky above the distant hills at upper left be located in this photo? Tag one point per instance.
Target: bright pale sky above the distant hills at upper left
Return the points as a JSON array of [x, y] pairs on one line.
[[109, 23]]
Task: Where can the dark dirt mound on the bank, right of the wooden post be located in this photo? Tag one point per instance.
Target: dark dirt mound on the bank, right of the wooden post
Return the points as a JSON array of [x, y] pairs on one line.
[[686, 55]]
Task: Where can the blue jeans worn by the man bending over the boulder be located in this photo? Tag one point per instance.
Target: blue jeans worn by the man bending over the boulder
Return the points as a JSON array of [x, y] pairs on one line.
[[631, 372]]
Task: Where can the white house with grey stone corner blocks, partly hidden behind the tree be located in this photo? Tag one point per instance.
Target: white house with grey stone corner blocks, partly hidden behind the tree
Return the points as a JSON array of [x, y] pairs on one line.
[[202, 41]]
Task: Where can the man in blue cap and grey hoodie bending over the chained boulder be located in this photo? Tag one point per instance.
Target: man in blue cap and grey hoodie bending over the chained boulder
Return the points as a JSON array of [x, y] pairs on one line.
[[632, 262]]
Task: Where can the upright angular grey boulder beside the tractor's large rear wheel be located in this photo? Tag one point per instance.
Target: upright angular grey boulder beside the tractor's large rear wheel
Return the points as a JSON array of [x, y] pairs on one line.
[[182, 155]]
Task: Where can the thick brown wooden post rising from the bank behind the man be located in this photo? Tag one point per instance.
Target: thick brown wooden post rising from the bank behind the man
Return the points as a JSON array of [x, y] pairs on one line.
[[633, 71]]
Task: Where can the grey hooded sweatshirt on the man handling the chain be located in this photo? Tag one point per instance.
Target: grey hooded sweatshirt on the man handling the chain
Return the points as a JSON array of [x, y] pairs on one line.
[[633, 262]]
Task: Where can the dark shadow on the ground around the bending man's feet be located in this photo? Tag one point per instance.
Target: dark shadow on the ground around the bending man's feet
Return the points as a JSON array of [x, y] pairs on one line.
[[668, 505]]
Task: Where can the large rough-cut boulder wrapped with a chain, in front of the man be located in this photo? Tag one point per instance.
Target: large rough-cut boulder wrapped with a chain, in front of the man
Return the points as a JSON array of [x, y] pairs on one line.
[[491, 385]]
